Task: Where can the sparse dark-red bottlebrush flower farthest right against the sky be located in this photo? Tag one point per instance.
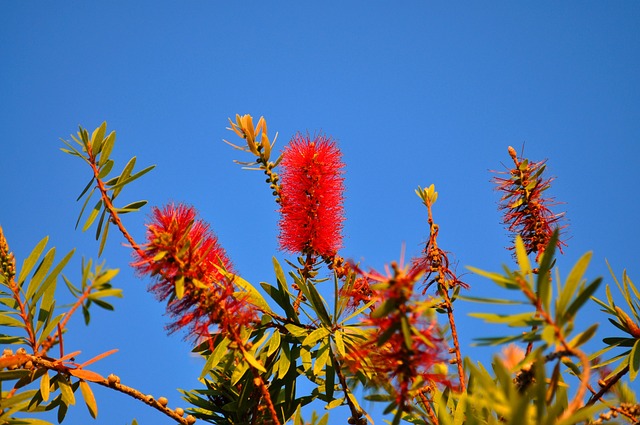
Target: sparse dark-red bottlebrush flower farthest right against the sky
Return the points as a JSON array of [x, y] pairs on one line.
[[526, 211]]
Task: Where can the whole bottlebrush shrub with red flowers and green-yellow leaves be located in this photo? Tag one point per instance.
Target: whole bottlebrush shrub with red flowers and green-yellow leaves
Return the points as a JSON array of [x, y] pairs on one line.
[[389, 337]]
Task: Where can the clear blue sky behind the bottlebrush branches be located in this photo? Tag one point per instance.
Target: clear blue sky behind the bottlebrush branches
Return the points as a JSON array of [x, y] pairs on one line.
[[415, 93]]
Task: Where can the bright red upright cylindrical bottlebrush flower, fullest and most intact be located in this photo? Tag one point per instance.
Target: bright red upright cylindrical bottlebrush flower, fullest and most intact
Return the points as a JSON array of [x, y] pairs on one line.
[[311, 201]]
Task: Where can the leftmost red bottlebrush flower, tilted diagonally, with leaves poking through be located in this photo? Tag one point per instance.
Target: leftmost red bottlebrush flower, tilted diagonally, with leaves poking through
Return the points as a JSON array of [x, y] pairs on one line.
[[184, 257]]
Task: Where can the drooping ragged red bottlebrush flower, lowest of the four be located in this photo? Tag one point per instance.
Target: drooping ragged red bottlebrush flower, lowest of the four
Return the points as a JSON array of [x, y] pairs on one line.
[[404, 346]]
